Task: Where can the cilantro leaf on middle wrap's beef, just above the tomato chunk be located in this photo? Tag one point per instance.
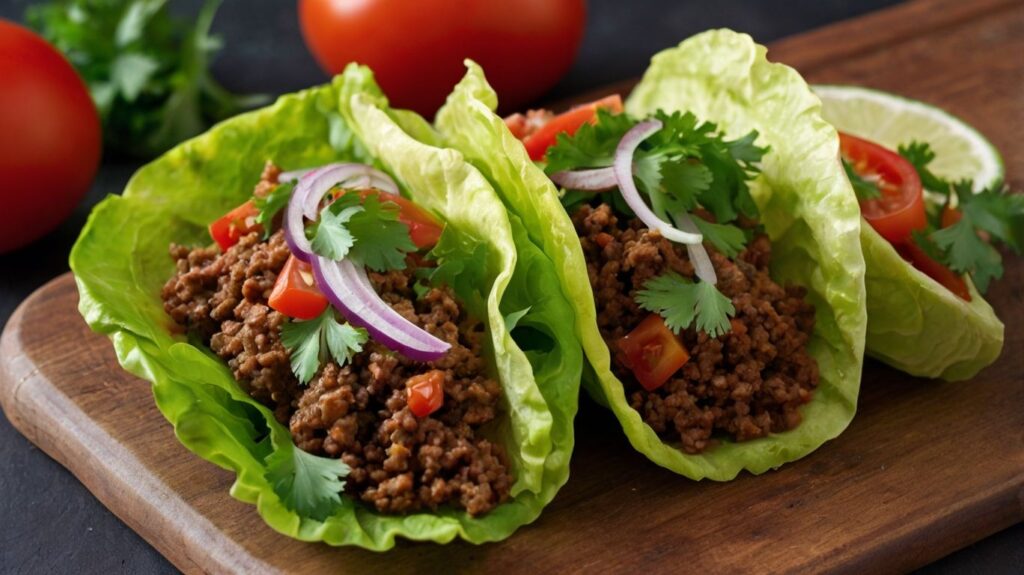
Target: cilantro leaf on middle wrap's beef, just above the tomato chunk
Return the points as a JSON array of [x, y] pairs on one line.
[[684, 303]]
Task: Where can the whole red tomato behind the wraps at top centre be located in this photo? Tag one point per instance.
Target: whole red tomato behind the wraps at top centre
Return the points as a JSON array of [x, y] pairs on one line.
[[416, 48]]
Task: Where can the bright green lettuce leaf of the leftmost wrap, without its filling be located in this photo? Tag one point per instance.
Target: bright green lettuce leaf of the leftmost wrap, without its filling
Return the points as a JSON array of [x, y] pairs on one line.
[[120, 263]]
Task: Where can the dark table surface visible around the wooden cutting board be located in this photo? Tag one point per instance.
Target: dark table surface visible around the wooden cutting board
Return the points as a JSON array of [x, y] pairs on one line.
[[54, 524]]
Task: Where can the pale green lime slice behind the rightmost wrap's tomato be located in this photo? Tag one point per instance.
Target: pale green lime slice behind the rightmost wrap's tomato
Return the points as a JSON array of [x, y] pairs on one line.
[[961, 152]]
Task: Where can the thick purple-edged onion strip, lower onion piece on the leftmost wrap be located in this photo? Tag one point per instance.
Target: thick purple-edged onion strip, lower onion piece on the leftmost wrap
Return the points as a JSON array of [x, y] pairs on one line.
[[349, 289]]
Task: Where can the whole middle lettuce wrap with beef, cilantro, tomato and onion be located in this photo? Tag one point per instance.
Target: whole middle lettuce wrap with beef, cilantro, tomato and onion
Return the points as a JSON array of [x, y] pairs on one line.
[[709, 241]]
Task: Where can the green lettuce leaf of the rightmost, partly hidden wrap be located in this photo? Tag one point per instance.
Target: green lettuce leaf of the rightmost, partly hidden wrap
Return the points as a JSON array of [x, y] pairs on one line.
[[921, 328]]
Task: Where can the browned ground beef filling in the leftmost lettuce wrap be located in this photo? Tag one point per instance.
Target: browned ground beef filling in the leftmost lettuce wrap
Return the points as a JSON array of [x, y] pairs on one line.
[[358, 412]]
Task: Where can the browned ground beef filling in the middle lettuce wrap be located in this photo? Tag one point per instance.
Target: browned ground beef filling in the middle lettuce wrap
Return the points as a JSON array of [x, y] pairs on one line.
[[743, 385]]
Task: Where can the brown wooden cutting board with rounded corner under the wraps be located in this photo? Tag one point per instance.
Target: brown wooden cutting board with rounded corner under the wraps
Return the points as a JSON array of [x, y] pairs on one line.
[[925, 469]]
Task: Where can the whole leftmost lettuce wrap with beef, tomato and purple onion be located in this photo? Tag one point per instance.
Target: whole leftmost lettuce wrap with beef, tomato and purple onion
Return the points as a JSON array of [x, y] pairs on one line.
[[371, 345]]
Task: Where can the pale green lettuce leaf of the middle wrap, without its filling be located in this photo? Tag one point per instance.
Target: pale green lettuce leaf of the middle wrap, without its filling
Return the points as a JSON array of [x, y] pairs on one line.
[[807, 205]]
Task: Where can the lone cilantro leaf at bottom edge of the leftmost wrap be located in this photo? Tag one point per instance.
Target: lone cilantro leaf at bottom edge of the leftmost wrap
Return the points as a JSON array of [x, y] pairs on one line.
[[308, 484]]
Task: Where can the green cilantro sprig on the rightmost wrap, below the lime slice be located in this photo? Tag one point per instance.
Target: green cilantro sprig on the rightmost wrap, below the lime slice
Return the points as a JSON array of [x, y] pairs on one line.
[[993, 213]]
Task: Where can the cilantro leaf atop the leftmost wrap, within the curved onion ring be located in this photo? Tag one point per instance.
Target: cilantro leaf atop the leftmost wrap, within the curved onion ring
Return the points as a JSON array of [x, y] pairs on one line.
[[369, 233]]
